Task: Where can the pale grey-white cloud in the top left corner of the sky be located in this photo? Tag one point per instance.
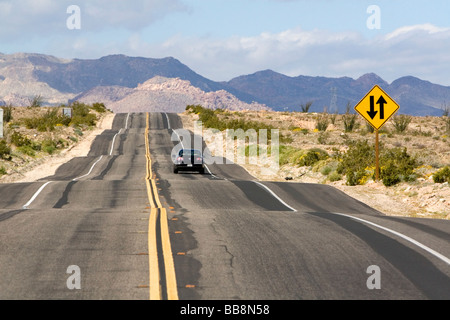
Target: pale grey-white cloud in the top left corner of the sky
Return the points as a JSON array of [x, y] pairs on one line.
[[25, 19]]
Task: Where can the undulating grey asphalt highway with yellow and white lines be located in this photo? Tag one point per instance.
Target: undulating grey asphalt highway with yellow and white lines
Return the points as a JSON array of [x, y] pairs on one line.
[[137, 231]]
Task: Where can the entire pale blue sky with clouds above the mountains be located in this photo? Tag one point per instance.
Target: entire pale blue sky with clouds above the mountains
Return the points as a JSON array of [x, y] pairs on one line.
[[222, 39]]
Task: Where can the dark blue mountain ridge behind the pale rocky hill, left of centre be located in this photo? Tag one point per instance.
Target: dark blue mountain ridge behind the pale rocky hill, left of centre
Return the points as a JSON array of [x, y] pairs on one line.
[[115, 70]]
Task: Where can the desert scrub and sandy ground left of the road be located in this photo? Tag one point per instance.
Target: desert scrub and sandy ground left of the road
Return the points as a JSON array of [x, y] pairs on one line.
[[34, 132]]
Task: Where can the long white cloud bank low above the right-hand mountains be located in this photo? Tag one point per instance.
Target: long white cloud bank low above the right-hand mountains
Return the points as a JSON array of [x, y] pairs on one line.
[[420, 51]]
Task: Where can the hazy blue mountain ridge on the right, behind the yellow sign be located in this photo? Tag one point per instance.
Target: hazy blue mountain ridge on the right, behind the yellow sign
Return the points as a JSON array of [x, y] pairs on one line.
[[280, 92]]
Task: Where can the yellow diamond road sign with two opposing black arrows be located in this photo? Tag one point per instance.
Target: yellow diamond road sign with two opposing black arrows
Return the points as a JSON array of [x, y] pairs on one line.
[[377, 107]]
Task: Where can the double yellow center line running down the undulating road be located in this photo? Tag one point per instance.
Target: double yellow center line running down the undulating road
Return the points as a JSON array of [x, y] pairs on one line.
[[157, 210]]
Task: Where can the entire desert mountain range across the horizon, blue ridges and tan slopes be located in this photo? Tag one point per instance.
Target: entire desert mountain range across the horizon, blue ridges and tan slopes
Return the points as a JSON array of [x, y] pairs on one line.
[[122, 81]]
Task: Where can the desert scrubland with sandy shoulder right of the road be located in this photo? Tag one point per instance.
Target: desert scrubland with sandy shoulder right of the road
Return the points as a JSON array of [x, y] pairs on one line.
[[338, 149]]
